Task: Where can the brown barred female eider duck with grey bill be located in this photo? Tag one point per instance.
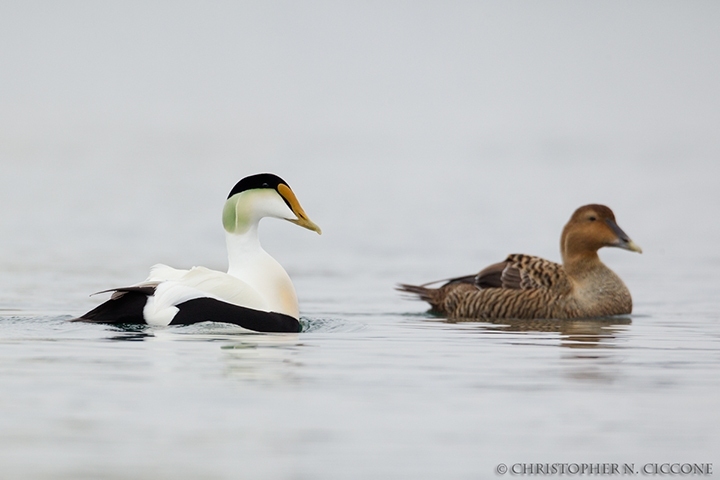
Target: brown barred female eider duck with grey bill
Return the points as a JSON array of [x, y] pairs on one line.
[[527, 287]]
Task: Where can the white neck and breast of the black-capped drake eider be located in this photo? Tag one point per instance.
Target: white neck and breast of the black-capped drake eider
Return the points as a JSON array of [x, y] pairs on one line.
[[250, 263]]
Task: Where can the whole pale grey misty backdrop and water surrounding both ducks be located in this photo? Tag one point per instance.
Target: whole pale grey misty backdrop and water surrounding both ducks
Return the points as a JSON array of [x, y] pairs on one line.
[[427, 139]]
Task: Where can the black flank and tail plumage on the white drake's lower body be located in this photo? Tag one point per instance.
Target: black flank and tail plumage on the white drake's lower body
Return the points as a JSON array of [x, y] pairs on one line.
[[127, 305]]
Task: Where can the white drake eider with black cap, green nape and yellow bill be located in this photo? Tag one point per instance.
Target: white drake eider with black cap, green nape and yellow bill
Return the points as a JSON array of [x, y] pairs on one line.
[[256, 293]]
